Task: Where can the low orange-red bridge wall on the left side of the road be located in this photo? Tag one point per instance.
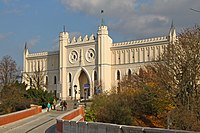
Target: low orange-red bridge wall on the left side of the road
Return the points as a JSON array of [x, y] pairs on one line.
[[8, 118]]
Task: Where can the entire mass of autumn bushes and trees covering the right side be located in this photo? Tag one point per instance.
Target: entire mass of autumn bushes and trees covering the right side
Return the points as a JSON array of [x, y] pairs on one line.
[[163, 94]]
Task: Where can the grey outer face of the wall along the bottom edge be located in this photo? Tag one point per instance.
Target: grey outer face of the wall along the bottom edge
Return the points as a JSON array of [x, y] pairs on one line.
[[96, 127]]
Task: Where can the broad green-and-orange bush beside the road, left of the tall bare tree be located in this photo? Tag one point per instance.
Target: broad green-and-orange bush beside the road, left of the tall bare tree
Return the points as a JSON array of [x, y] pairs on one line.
[[140, 102]]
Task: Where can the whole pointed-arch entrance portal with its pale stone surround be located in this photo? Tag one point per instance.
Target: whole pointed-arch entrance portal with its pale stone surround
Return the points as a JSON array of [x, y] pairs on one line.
[[82, 81]]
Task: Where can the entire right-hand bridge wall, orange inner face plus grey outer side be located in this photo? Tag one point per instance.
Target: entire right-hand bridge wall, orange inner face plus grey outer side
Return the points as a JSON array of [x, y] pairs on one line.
[[73, 122]]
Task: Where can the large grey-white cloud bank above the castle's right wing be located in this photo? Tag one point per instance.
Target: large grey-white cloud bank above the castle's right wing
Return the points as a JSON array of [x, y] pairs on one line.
[[140, 17]]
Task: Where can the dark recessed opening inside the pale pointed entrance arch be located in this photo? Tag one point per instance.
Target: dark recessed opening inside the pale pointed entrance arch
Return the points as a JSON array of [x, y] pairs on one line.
[[84, 82]]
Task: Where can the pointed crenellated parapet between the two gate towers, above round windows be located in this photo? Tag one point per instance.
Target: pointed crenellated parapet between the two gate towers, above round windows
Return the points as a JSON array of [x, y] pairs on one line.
[[86, 39]]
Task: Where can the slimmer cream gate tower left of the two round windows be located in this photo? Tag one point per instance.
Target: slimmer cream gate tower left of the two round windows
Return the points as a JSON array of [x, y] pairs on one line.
[[63, 41]]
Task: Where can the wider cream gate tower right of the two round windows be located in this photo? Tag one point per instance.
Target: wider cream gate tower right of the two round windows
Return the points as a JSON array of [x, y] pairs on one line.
[[104, 44]]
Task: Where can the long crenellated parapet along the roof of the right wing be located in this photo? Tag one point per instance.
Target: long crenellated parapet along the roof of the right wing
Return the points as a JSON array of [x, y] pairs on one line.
[[143, 41]]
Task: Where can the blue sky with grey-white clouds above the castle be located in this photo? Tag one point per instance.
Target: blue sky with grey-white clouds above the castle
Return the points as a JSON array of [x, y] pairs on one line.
[[39, 22]]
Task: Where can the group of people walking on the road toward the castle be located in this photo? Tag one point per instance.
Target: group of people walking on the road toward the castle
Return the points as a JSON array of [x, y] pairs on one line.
[[63, 105]]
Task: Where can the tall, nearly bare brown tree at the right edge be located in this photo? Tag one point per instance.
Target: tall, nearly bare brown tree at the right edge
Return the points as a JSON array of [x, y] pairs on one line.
[[179, 72]]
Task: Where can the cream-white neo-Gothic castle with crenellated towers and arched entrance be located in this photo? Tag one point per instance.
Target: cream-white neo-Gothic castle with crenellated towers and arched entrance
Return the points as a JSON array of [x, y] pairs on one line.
[[86, 66]]
